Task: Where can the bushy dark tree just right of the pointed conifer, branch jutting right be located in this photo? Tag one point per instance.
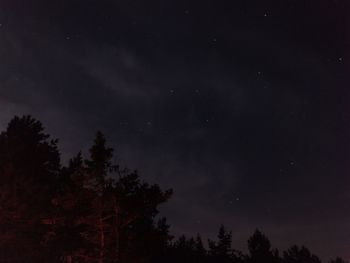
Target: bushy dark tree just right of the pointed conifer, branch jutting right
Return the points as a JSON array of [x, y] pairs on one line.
[[135, 208]]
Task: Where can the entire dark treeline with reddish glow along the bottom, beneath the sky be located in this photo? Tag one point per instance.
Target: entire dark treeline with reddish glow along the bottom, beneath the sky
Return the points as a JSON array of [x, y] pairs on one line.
[[93, 210]]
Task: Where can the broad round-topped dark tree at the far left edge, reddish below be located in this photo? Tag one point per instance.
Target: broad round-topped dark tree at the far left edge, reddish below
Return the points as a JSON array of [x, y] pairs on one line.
[[29, 167]]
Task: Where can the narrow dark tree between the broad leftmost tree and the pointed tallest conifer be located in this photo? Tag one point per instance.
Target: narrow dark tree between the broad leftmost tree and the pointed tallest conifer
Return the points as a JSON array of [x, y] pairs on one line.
[[73, 204]]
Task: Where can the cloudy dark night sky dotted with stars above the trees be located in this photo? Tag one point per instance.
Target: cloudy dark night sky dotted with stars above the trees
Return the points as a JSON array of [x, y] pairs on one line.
[[240, 106]]
